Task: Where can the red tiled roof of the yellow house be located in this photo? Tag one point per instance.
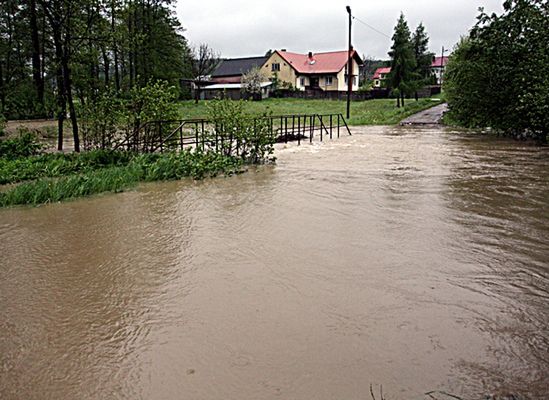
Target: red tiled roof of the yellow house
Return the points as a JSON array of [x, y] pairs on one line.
[[320, 63]]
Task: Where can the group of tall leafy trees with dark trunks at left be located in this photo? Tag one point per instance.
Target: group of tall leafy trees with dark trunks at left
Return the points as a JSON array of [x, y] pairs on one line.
[[58, 56]]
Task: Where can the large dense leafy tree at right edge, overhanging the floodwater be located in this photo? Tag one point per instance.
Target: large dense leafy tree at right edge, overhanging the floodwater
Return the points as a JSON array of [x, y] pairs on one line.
[[498, 77]]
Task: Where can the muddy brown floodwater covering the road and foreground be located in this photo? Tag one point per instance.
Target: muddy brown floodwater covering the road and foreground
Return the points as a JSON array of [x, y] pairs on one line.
[[405, 257]]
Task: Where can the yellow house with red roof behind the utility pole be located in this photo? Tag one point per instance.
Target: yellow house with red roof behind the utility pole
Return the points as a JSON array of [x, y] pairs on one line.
[[320, 71]]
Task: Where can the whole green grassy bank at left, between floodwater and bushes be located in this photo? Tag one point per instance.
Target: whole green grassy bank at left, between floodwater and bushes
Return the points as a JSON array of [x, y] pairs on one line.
[[80, 175]]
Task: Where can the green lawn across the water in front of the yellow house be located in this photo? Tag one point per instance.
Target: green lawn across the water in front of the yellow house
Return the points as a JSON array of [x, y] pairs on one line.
[[370, 112]]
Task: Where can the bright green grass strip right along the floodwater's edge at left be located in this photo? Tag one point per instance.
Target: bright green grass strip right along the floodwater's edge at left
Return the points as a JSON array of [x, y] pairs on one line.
[[118, 178]]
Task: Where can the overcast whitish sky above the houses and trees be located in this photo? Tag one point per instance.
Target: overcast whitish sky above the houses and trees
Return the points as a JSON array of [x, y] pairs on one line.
[[241, 28]]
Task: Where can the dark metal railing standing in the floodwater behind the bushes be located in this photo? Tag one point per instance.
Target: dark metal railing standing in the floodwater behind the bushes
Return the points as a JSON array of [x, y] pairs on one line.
[[159, 136]]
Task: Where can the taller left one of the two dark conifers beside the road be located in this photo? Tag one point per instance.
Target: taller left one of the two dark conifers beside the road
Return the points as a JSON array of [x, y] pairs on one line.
[[403, 61]]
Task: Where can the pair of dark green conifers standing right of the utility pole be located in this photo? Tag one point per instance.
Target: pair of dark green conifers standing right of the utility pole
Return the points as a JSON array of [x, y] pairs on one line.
[[410, 61]]
